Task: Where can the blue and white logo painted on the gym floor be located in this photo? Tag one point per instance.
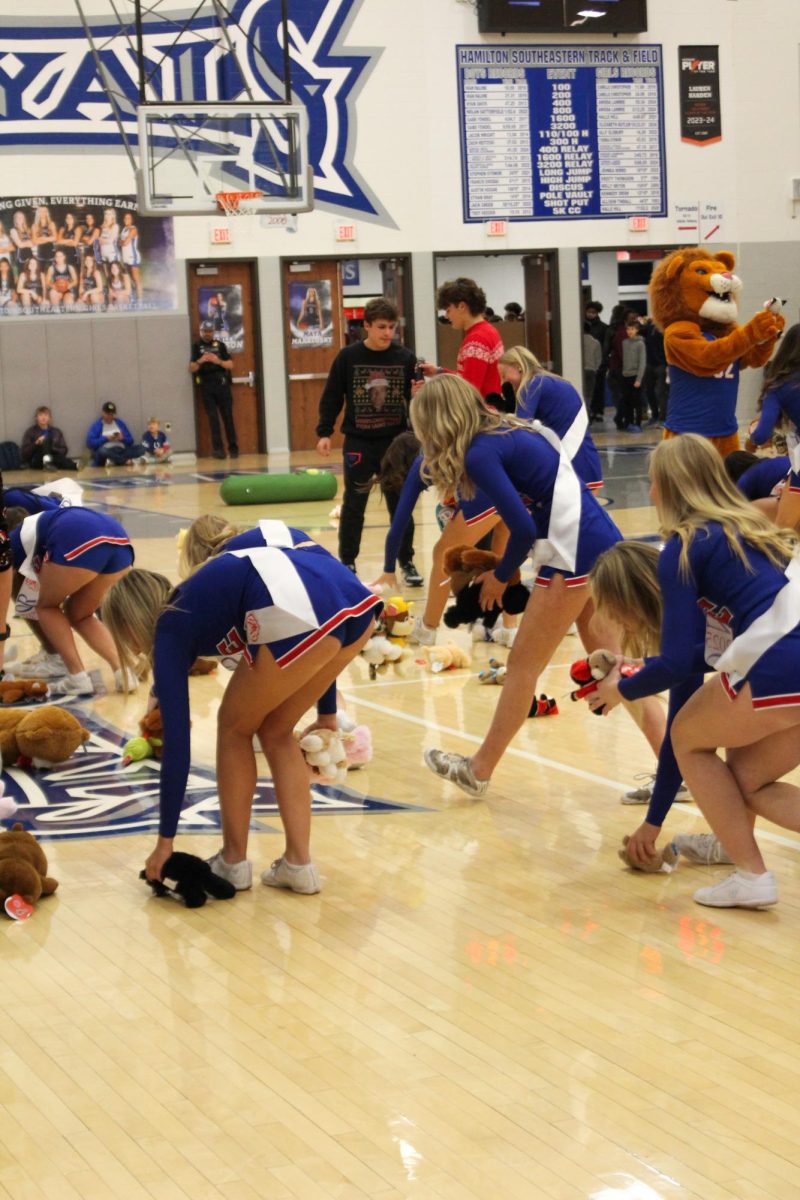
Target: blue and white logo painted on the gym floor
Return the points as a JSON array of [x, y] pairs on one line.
[[95, 795]]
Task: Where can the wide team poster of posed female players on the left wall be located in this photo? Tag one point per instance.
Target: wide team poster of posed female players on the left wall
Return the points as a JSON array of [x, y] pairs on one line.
[[83, 255]]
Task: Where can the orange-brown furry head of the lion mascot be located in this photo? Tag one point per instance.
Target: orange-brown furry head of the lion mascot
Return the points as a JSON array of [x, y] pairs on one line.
[[693, 285]]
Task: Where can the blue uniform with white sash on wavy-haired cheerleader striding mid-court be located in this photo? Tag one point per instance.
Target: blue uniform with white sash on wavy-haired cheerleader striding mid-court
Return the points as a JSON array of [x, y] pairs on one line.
[[549, 511]]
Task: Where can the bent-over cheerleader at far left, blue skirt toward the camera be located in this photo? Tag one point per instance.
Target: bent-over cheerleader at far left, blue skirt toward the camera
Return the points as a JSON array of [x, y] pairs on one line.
[[70, 557]]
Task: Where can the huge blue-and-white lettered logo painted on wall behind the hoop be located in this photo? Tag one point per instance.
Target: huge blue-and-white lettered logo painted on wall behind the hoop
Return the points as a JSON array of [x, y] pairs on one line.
[[51, 93]]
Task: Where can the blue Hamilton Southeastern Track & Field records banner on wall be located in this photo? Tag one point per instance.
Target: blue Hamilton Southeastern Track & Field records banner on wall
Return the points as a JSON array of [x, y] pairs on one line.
[[562, 133]]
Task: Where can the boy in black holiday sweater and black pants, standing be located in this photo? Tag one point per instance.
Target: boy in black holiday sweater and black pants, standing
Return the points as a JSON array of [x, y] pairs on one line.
[[372, 380]]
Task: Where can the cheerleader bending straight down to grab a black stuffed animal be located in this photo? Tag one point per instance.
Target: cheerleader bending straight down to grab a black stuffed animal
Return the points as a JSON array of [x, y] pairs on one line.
[[297, 617]]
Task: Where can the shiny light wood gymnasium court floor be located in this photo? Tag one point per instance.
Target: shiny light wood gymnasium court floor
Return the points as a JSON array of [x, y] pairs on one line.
[[483, 1003]]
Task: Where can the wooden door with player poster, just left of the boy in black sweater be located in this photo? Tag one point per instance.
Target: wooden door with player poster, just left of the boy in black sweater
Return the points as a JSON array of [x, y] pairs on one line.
[[315, 334]]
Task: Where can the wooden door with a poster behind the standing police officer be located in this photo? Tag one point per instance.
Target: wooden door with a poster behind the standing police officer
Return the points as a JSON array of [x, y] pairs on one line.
[[226, 293]]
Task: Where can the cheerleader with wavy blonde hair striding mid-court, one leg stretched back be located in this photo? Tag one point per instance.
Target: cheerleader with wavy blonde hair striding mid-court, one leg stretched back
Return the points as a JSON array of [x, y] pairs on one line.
[[549, 512]]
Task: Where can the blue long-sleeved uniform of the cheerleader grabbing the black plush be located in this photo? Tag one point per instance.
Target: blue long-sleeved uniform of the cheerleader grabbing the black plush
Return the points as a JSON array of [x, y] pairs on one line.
[[272, 596]]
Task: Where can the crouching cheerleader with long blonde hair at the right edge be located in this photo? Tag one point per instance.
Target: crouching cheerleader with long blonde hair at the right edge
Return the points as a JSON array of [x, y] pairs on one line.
[[726, 559]]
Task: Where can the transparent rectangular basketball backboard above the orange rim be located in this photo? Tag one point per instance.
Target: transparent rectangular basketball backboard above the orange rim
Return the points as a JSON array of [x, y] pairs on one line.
[[190, 153]]
